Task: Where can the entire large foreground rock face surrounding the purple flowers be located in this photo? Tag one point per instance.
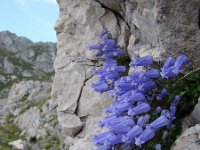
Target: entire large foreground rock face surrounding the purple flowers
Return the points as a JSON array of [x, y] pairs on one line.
[[141, 26]]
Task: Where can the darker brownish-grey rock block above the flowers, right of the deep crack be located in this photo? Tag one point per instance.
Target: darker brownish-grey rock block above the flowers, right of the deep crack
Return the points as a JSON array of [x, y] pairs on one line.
[[161, 24]]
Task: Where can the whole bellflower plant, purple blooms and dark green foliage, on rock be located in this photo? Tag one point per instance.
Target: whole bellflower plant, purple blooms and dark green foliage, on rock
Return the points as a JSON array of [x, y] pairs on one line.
[[144, 109]]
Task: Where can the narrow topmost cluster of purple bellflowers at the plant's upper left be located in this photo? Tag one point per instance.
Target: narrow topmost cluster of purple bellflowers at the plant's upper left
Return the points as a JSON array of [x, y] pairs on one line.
[[107, 49]]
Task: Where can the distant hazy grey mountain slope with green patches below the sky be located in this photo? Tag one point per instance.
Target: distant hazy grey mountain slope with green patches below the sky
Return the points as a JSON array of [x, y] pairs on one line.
[[21, 59]]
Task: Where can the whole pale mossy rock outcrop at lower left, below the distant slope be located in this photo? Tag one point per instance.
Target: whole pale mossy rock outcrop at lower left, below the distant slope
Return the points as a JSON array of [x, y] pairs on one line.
[[34, 112]]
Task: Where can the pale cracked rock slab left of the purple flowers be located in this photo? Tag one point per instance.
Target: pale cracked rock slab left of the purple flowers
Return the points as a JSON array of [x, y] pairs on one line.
[[74, 65]]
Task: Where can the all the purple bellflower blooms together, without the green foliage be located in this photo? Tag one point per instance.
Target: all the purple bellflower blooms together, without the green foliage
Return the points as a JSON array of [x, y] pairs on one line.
[[128, 121]]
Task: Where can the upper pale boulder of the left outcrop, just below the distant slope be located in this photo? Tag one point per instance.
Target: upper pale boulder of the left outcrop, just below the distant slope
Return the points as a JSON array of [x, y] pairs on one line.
[[25, 94]]
